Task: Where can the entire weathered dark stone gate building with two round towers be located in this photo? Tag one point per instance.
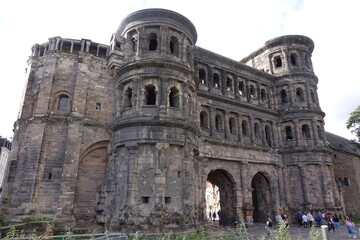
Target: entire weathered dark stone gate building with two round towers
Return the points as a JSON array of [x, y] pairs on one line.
[[127, 135]]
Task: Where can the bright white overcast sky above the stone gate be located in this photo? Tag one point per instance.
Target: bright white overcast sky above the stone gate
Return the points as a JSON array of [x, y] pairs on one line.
[[233, 29]]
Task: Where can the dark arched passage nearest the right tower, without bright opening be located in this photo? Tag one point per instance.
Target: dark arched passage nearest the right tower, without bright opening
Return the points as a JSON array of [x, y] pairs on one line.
[[261, 196]]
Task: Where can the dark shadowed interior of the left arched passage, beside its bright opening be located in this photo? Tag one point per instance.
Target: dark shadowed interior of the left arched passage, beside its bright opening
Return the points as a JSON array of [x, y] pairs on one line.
[[226, 192]]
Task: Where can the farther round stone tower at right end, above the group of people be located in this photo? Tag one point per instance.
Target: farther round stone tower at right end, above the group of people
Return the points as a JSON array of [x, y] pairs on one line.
[[301, 121]]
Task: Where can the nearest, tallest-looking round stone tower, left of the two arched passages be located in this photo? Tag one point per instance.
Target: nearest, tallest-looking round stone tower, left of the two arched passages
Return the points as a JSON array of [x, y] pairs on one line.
[[154, 143]]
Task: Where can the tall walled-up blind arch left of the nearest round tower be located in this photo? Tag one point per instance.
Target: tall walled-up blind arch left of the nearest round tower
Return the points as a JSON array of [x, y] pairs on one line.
[[91, 172]]
